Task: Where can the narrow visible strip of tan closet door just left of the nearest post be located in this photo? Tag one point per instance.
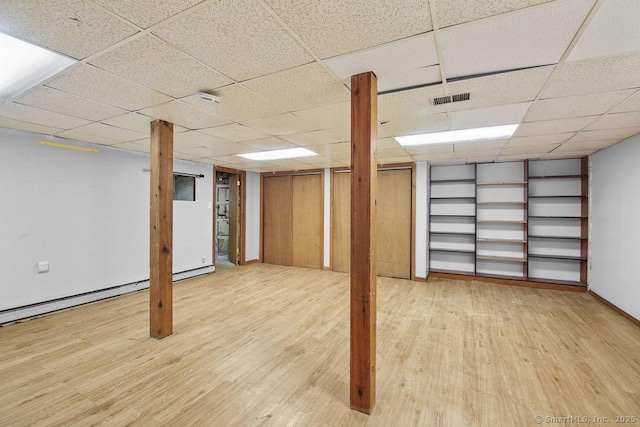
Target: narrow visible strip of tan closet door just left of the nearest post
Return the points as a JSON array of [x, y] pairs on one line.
[[341, 222]]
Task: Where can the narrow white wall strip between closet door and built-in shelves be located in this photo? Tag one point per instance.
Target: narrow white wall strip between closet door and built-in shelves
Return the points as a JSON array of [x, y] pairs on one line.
[[422, 219]]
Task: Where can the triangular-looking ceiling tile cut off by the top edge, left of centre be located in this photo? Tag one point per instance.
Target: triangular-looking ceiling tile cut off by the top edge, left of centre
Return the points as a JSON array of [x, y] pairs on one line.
[[149, 12]]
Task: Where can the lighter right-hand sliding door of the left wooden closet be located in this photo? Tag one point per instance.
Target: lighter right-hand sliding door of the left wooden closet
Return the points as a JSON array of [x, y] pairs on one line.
[[308, 221]]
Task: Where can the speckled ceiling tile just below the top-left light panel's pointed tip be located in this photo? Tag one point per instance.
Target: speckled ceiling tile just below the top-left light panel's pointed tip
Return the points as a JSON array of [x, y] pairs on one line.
[[92, 83]]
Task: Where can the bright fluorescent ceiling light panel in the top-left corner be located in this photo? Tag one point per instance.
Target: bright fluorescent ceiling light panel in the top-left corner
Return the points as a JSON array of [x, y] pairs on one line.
[[25, 66]]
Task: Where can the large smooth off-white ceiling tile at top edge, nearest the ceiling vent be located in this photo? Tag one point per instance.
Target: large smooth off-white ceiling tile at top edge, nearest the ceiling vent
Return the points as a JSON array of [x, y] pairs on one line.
[[524, 38]]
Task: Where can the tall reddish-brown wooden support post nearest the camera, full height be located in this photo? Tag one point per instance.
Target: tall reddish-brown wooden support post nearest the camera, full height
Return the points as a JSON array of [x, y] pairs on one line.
[[364, 133]]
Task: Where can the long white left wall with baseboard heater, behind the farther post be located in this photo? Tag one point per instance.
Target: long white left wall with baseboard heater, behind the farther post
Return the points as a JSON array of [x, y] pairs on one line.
[[87, 214]]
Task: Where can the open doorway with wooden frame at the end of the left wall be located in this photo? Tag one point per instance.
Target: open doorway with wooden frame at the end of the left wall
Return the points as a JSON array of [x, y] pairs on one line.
[[228, 218]]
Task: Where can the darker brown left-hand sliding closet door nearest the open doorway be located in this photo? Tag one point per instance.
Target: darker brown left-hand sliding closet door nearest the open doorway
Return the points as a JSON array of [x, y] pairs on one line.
[[278, 220]]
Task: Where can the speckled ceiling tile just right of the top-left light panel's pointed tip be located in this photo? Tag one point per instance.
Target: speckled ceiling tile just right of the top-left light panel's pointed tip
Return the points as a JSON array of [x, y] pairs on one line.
[[155, 64]]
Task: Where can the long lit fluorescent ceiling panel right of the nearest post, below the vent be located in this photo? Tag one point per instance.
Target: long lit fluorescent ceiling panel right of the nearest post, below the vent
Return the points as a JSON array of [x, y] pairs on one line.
[[464, 135]]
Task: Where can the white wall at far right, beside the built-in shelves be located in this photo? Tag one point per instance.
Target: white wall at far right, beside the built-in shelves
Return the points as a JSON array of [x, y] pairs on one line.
[[615, 225]]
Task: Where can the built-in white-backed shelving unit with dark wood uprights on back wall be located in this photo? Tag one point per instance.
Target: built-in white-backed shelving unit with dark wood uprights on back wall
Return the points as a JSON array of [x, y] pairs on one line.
[[517, 220]]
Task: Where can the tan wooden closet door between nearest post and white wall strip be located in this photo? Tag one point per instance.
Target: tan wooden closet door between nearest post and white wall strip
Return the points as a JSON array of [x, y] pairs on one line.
[[394, 223]]
